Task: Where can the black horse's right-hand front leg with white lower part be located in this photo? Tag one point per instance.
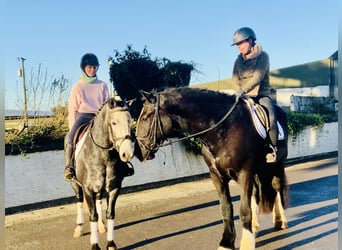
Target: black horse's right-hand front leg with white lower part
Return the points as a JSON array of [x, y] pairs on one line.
[[247, 238]]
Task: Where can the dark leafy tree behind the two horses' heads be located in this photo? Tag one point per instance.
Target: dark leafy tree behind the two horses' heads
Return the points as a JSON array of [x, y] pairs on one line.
[[132, 71]]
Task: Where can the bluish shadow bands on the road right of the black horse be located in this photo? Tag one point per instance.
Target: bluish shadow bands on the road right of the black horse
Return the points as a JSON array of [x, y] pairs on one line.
[[309, 193]]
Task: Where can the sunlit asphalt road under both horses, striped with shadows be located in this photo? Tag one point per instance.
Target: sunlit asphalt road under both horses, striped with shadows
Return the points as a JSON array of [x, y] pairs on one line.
[[187, 216]]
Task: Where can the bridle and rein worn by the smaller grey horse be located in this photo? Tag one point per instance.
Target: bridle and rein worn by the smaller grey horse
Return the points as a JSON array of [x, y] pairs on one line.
[[115, 142]]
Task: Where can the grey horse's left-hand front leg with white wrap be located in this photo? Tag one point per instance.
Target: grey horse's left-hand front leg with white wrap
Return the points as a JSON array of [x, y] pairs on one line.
[[90, 198]]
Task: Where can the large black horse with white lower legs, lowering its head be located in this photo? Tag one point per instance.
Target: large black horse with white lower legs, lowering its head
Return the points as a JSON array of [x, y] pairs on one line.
[[231, 147]]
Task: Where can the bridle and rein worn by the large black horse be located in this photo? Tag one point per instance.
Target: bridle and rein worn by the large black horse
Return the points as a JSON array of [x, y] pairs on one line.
[[157, 124]]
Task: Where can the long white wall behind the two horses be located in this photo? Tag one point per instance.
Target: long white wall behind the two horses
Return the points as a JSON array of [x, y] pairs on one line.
[[38, 177]]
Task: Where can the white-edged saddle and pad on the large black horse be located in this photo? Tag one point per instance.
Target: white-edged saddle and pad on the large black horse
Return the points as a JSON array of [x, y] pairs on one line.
[[260, 118]]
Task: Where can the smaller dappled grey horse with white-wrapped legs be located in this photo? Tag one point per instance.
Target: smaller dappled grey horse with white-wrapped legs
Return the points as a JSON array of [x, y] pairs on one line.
[[105, 146]]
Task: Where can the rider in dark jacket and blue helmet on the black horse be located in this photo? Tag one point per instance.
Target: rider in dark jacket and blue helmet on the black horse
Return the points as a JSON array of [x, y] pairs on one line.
[[251, 75]]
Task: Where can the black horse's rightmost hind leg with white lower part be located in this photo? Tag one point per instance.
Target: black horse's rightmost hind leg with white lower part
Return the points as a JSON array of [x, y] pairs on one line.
[[279, 218]]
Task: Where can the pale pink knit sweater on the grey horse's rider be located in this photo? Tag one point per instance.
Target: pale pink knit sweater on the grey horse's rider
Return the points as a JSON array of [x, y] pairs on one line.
[[86, 98]]
